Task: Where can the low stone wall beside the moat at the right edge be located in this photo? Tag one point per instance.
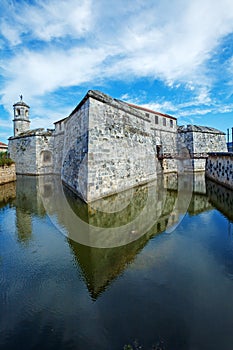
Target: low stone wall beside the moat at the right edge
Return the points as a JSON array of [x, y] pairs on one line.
[[219, 167]]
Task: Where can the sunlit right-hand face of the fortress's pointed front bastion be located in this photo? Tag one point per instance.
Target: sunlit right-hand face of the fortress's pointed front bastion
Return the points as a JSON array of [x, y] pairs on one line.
[[121, 151]]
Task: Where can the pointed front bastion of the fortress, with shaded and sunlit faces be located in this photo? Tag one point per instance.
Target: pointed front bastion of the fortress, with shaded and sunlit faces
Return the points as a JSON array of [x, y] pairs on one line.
[[110, 147]]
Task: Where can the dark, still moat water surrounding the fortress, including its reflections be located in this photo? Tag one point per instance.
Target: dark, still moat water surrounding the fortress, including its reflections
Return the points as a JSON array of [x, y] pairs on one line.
[[124, 269]]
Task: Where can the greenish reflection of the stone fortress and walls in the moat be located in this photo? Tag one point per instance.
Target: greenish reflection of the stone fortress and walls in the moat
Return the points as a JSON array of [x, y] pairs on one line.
[[107, 235]]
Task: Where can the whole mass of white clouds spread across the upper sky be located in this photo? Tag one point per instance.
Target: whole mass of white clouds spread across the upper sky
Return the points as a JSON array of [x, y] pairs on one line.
[[170, 41]]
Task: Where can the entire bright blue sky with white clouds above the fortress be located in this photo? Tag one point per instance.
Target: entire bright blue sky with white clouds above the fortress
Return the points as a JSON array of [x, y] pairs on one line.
[[172, 56]]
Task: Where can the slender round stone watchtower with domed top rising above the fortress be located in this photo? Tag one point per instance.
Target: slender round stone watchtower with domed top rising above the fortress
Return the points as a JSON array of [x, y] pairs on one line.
[[21, 117]]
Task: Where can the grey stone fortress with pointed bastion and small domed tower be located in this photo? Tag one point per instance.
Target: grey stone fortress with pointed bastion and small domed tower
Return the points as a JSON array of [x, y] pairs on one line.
[[106, 146]]
